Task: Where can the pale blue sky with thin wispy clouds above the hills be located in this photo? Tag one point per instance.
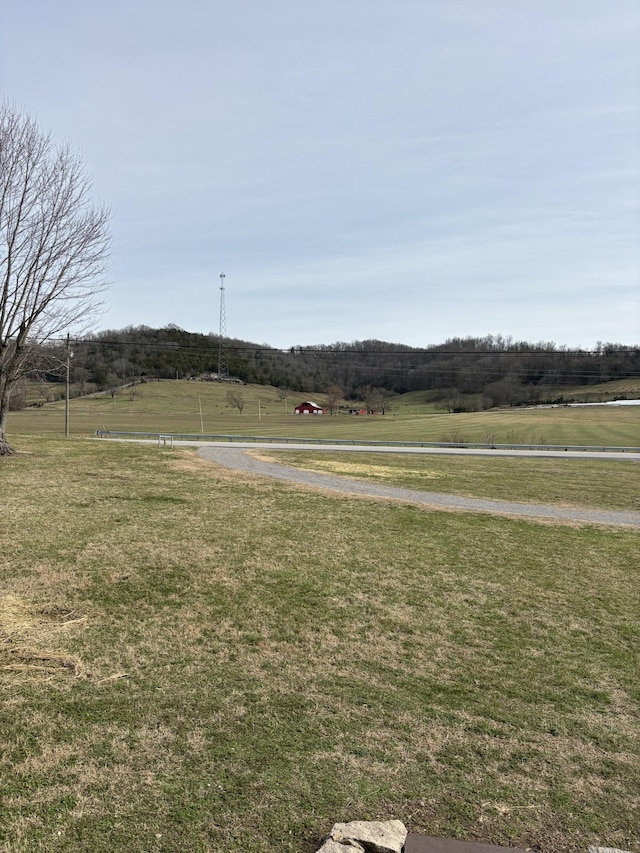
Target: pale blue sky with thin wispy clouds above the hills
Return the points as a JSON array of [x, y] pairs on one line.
[[408, 170]]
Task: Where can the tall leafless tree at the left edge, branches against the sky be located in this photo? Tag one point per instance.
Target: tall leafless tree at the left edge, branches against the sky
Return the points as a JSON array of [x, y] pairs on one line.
[[53, 247]]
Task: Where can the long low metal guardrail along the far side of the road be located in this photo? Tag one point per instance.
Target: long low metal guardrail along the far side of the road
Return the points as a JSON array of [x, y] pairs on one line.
[[346, 442]]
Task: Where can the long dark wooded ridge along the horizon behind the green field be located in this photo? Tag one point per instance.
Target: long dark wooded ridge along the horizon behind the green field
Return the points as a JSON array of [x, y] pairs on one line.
[[501, 369]]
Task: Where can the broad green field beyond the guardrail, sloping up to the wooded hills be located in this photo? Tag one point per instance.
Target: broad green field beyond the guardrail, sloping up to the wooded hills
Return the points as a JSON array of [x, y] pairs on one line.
[[177, 406]]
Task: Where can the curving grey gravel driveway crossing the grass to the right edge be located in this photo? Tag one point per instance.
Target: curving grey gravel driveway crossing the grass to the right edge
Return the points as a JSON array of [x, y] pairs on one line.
[[242, 460]]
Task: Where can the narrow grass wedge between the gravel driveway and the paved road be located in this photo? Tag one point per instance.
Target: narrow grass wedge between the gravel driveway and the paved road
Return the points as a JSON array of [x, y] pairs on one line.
[[575, 482]]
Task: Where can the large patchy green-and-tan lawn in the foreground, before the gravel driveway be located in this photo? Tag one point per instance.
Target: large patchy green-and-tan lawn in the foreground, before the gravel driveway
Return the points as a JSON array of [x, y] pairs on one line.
[[193, 660]]
